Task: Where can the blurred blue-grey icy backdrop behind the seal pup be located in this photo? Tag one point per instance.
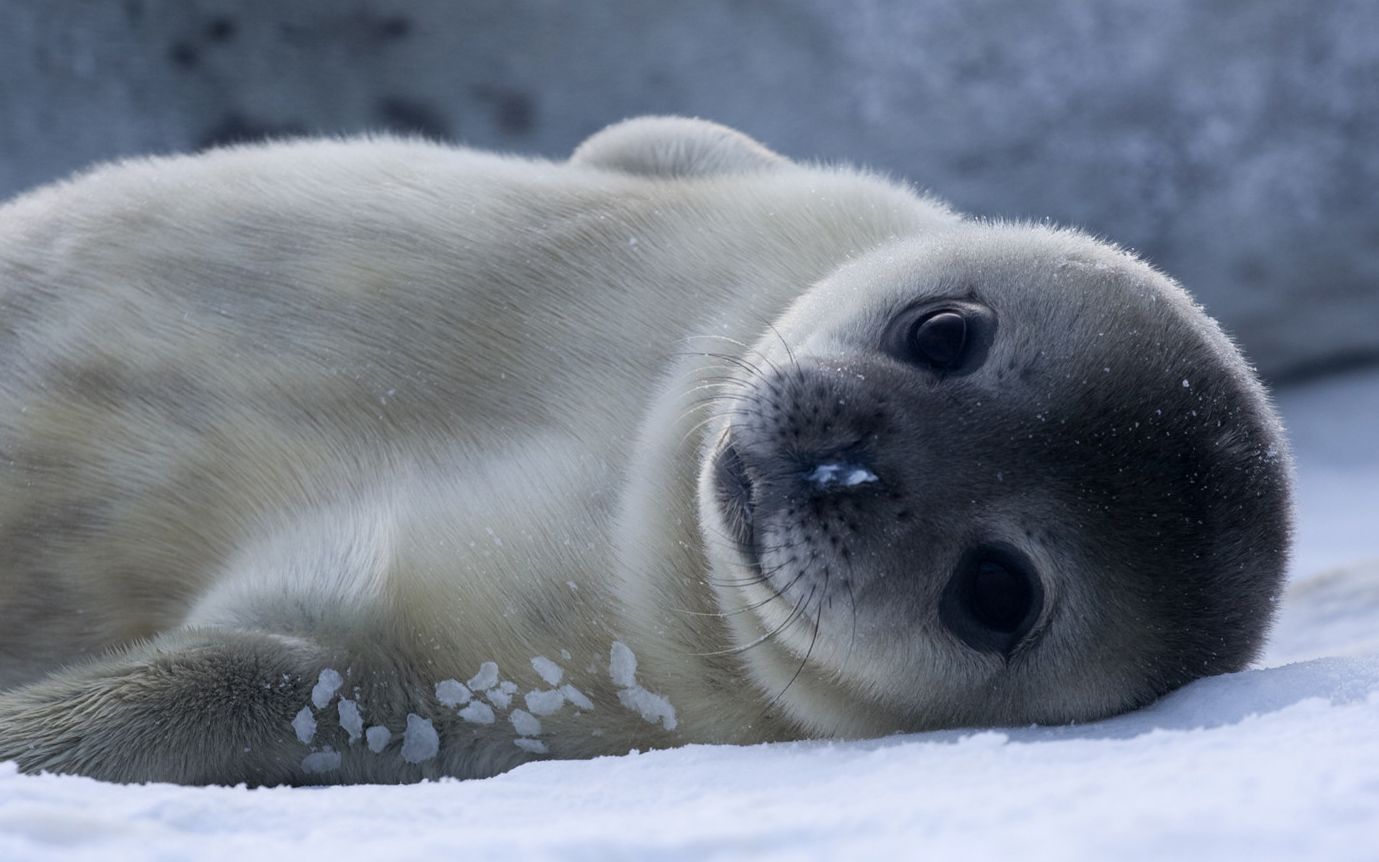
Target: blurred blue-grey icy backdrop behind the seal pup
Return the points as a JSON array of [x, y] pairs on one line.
[[1234, 143]]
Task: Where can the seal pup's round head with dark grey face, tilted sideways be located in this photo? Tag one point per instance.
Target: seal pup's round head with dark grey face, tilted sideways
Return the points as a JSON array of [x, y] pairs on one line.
[[1025, 475]]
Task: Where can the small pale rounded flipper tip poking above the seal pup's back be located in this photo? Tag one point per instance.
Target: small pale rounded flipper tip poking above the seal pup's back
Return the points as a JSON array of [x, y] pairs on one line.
[[675, 148]]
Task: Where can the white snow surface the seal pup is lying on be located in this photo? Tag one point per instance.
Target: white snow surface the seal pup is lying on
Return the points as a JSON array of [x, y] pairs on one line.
[[1275, 763]]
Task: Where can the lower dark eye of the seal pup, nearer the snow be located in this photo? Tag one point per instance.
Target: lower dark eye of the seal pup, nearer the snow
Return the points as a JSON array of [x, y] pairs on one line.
[[992, 601]]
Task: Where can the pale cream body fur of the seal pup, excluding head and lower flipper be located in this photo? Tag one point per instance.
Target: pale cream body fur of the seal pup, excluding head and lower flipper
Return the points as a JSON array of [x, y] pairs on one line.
[[383, 397]]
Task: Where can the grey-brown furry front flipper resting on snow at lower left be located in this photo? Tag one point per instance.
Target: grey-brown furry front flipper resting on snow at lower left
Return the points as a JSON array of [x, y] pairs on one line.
[[192, 707]]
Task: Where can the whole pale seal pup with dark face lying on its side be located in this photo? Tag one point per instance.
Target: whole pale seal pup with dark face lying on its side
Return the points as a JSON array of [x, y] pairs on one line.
[[383, 460]]
